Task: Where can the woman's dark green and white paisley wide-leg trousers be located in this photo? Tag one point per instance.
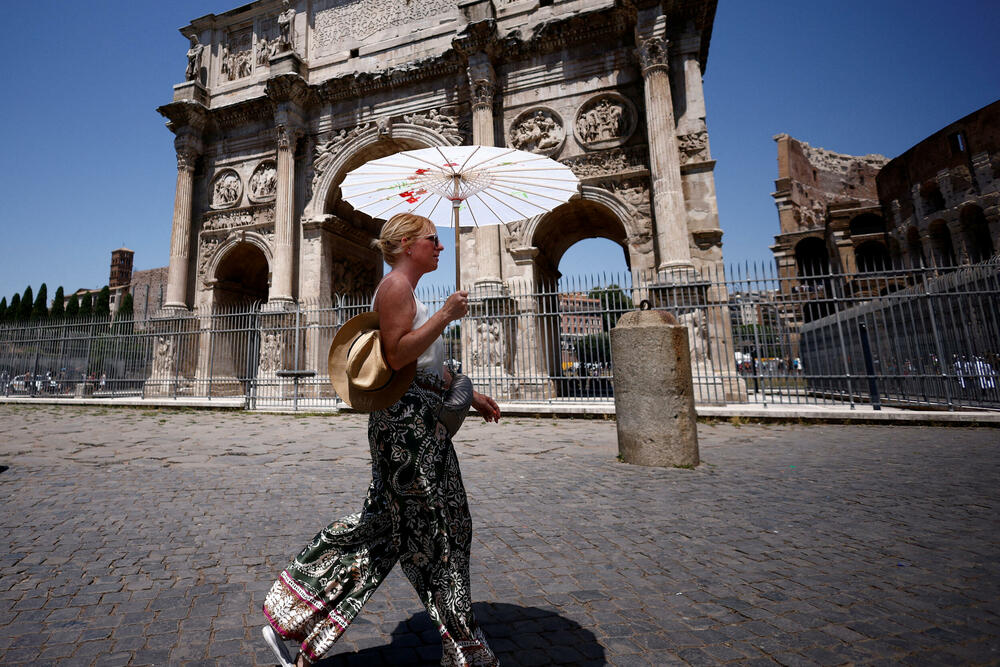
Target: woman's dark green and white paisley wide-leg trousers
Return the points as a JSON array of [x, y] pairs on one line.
[[415, 513]]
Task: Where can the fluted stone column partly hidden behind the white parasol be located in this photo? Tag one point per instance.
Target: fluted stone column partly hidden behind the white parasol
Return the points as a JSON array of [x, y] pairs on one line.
[[482, 81]]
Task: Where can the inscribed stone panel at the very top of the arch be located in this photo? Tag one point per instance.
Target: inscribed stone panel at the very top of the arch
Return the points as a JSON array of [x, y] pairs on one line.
[[337, 21]]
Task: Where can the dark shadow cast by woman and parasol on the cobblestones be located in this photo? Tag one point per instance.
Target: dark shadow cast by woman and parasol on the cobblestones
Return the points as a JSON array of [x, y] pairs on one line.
[[518, 636]]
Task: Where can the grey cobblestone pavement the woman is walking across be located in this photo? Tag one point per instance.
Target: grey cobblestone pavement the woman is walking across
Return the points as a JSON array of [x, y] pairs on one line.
[[150, 537]]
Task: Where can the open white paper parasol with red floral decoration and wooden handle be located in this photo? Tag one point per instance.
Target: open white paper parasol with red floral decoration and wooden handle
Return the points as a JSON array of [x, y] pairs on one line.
[[453, 185]]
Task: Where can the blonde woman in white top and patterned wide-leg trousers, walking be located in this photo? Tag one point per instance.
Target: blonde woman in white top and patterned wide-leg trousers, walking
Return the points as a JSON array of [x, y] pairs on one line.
[[416, 510]]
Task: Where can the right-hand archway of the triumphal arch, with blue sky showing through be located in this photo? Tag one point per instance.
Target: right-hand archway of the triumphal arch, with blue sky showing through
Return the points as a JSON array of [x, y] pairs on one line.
[[575, 329]]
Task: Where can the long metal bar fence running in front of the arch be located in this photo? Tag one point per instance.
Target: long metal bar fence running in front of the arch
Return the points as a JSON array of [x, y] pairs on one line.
[[917, 337]]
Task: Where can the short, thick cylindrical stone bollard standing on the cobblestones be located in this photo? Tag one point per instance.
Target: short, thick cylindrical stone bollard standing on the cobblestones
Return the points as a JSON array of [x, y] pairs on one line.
[[654, 396]]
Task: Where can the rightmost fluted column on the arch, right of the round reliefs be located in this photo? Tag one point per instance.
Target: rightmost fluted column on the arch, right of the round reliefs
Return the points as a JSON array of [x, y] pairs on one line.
[[664, 157]]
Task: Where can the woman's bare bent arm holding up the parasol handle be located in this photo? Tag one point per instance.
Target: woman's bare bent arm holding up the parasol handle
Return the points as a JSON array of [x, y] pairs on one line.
[[402, 345]]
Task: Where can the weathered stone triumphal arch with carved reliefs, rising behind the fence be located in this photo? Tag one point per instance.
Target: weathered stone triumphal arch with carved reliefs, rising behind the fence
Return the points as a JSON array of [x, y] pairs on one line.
[[282, 99]]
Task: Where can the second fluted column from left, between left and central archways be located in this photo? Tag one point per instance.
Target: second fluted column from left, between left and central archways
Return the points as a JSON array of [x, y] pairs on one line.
[[282, 272]]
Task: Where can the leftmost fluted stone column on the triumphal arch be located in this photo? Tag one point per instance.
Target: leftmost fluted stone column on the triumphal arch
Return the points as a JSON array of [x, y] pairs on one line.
[[188, 149]]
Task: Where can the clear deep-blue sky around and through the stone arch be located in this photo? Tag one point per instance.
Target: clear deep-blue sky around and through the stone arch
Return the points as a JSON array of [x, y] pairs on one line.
[[88, 165]]
